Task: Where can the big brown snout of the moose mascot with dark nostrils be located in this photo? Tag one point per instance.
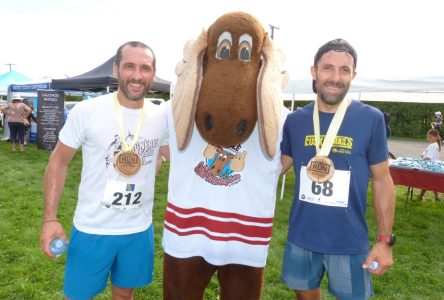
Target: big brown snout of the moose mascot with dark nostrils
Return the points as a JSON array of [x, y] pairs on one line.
[[224, 116]]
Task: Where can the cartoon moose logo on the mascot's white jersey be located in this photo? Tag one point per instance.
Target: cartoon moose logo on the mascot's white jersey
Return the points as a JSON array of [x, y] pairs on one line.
[[220, 165]]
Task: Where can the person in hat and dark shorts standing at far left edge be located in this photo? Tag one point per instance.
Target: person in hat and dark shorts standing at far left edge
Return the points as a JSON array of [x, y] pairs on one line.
[[16, 111]]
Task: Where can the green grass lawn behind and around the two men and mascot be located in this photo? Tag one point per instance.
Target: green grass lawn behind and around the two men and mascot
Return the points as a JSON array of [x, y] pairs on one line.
[[25, 273]]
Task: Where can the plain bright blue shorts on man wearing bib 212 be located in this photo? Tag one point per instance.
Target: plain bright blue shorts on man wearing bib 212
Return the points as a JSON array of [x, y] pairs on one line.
[[91, 258]]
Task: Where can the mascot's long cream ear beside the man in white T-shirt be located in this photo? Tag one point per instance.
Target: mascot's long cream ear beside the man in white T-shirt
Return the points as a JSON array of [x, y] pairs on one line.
[[189, 72]]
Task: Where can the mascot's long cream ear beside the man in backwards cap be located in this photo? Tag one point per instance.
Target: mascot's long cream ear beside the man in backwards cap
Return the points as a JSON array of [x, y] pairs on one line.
[[269, 96]]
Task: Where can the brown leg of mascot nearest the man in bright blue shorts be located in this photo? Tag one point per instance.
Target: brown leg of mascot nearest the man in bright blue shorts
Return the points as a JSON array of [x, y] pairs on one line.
[[185, 278]]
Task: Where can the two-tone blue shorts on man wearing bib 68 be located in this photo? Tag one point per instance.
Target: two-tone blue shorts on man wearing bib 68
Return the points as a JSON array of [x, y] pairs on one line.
[[303, 270]]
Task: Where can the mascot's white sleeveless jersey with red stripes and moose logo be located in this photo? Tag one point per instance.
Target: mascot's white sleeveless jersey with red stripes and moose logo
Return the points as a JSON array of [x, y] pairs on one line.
[[220, 201]]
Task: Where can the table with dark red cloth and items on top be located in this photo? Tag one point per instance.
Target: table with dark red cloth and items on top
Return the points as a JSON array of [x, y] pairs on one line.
[[417, 173]]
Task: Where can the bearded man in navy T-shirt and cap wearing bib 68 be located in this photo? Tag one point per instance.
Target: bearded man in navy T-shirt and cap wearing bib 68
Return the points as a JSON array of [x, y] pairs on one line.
[[333, 161]]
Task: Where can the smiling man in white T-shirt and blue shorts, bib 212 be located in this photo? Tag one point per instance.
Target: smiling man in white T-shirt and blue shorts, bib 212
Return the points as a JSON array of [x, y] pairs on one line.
[[121, 135]]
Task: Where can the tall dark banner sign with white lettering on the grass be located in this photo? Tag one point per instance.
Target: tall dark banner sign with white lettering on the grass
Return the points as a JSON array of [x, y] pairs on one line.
[[50, 118]]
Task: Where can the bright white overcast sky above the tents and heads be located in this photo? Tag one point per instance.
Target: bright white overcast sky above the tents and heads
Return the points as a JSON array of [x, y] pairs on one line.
[[394, 39]]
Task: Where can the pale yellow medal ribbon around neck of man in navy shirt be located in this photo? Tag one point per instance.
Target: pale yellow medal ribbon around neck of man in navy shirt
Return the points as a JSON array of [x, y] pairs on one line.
[[332, 129]]
